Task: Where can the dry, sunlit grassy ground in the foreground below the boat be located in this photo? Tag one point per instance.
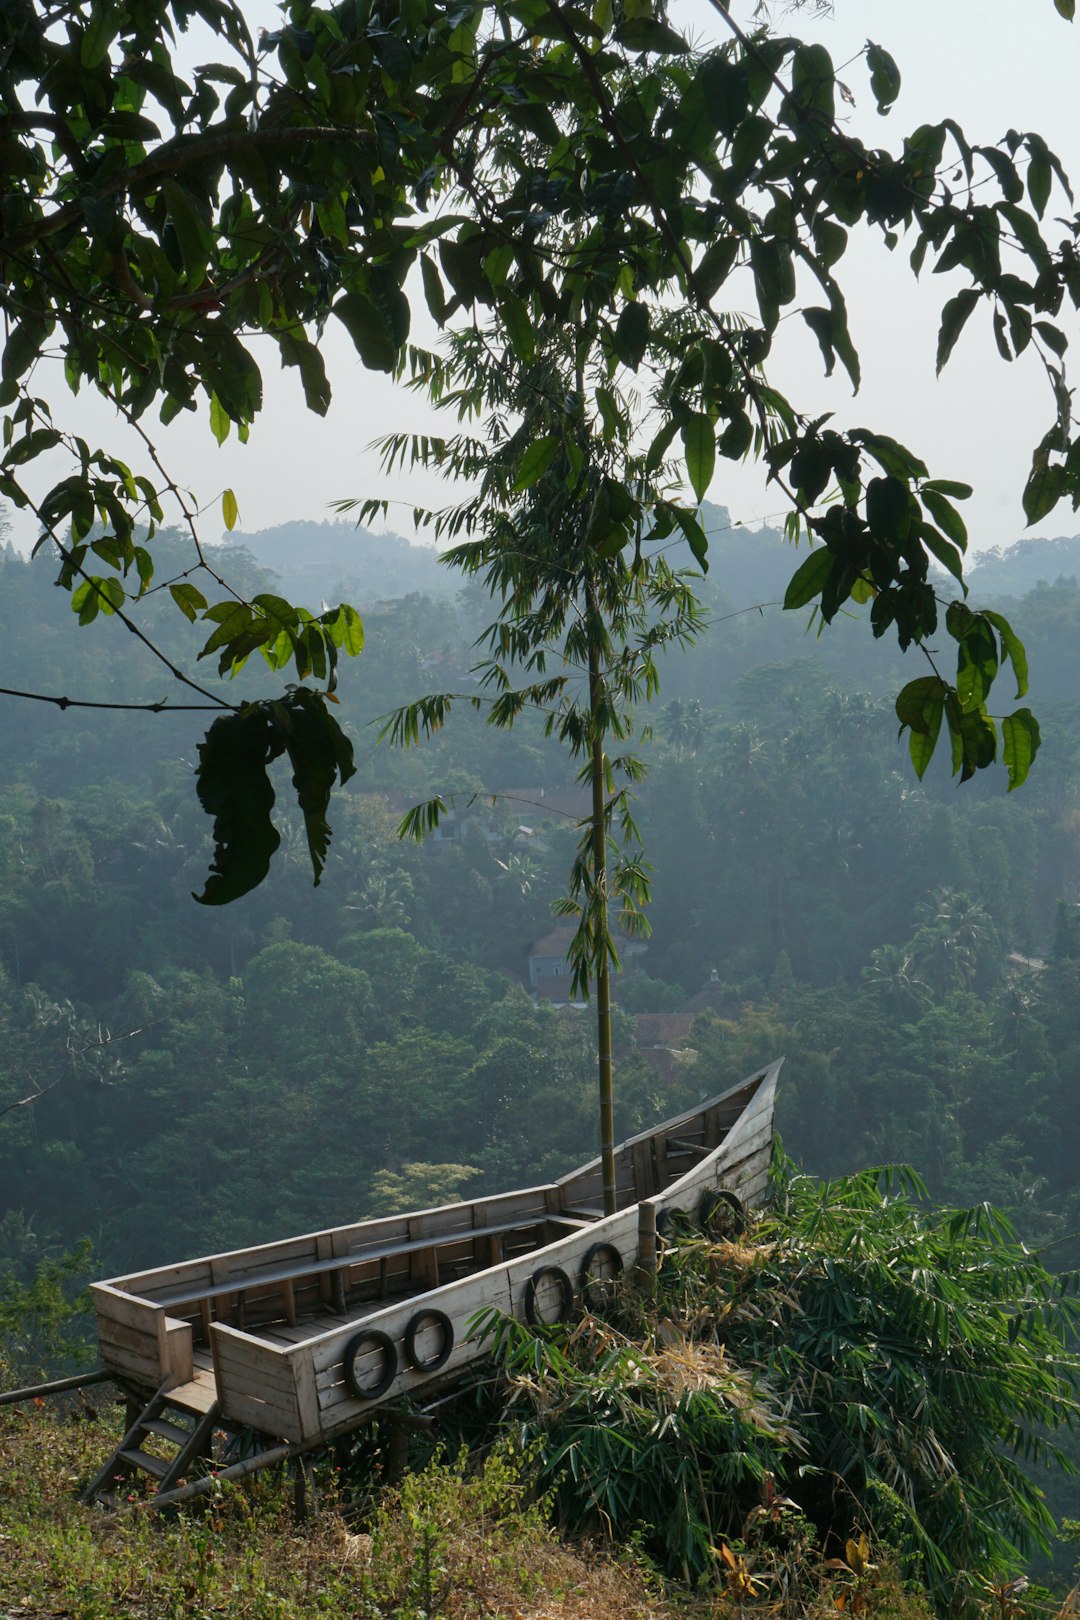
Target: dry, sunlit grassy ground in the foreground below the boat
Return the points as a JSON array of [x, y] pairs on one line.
[[449, 1546]]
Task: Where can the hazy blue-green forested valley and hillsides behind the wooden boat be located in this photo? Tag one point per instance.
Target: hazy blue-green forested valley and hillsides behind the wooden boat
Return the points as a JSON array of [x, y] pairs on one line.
[[182, 1080]]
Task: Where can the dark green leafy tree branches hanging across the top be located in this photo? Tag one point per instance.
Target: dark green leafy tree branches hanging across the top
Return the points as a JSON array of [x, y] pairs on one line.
[[537, 161]]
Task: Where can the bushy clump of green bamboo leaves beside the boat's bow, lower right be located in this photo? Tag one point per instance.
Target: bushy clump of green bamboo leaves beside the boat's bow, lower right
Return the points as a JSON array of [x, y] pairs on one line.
[[857, 1365]]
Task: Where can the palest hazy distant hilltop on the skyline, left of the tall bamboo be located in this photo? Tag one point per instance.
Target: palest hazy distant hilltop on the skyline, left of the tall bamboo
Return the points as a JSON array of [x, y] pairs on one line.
[[330, 561]]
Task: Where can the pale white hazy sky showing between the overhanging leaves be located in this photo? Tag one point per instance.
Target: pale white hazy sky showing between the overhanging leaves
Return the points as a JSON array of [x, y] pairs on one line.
[[990, 64]]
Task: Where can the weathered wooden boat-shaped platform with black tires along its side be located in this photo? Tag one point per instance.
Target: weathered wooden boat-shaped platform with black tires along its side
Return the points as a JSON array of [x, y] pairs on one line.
[[307, 1339]]
